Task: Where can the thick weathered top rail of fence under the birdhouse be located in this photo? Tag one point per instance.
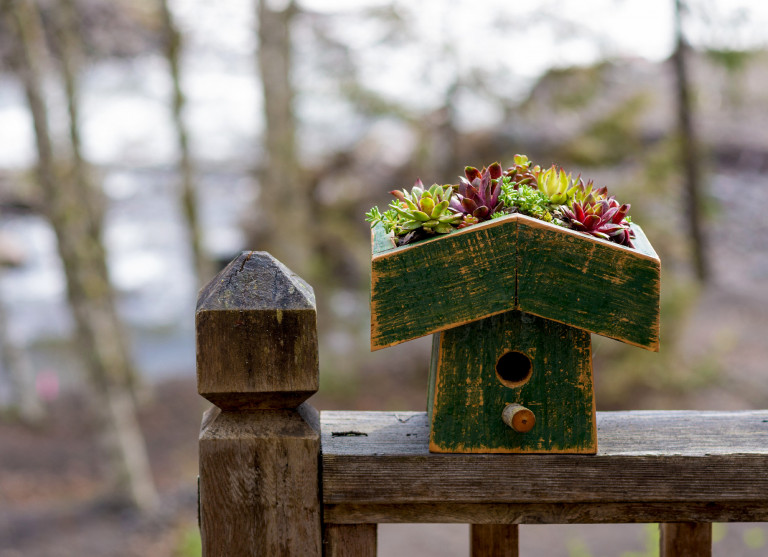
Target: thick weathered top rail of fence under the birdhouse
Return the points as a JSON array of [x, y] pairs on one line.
[[643, 457]]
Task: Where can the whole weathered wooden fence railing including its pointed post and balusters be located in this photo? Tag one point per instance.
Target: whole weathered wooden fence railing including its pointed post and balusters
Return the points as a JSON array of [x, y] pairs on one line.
[[276, 478]]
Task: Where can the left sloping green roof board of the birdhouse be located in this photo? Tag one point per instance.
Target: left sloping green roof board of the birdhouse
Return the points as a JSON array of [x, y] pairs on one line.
[[436, 284]]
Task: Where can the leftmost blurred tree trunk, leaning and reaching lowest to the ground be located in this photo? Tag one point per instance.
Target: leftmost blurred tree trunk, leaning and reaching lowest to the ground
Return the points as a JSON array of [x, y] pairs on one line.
[[88, 289]]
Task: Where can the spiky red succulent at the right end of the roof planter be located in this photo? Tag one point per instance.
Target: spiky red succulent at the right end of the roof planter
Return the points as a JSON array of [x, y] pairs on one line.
[[603, 218]]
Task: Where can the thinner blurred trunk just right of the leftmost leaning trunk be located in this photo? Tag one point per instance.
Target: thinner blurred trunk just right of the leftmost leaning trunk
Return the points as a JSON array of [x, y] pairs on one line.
[[83, 186]]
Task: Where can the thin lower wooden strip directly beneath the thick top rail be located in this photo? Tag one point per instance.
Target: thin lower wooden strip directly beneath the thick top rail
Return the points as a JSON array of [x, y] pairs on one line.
[[545, 513]]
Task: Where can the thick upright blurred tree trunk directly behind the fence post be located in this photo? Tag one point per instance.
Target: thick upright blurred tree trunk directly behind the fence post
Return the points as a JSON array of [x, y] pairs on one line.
[[283, 225]]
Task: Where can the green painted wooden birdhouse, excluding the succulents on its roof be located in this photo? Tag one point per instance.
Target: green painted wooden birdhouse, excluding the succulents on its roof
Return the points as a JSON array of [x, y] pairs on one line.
[[511, 303]]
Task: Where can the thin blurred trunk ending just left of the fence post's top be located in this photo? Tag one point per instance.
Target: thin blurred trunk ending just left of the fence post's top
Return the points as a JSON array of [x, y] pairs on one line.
[[173, 46]]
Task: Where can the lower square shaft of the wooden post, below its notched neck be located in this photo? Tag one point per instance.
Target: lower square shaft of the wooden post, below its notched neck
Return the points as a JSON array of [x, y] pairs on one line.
[[259, 483]]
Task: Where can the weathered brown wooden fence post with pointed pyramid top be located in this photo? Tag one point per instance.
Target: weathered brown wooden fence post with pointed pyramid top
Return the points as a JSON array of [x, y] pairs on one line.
[[260, 446]]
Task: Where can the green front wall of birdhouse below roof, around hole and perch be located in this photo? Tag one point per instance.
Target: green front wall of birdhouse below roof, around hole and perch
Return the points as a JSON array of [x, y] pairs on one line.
[[467, 398]]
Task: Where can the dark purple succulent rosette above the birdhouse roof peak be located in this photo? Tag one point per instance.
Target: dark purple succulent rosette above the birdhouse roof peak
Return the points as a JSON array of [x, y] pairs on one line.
[[478, 192]]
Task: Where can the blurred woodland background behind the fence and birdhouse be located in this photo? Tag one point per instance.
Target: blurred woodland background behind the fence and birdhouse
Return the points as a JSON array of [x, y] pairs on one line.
[[143, 144]]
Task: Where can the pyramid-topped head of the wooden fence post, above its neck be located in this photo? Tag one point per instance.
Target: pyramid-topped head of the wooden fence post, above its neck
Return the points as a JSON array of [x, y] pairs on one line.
[[256, 336]]
